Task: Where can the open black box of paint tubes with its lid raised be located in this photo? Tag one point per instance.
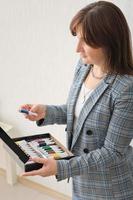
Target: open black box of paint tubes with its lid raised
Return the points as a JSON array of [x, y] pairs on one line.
[[40, 145]]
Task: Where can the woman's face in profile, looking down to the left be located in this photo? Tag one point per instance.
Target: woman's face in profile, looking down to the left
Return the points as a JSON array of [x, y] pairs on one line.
[[88, 54]]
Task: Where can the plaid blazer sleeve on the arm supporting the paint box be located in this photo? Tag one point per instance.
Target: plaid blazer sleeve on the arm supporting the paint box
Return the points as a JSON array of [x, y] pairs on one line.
[[118, 138]]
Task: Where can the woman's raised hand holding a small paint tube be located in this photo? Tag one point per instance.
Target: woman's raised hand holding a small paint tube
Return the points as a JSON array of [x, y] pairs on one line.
[[39, 109]]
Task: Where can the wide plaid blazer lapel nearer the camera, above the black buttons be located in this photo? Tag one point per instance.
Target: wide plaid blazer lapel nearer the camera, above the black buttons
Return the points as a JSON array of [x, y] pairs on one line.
[[96, 94]]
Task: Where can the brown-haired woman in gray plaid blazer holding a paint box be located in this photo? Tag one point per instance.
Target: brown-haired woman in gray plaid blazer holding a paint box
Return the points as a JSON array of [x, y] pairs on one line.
[[99, 109]]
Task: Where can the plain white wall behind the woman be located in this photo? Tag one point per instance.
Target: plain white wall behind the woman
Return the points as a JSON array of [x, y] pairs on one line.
[[37, 60]]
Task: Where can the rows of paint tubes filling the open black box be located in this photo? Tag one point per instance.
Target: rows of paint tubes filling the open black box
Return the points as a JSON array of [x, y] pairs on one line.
[[44, 147]]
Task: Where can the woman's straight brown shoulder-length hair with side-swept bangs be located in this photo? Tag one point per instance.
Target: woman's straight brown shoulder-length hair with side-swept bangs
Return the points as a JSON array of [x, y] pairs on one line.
[[104, 25]]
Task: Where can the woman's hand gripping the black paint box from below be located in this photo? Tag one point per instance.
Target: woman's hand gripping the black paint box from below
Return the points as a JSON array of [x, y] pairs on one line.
[[49, 167]]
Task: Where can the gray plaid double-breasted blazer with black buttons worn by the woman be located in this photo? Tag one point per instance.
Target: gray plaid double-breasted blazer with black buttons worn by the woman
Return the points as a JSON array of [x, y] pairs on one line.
[[103, 164]]
